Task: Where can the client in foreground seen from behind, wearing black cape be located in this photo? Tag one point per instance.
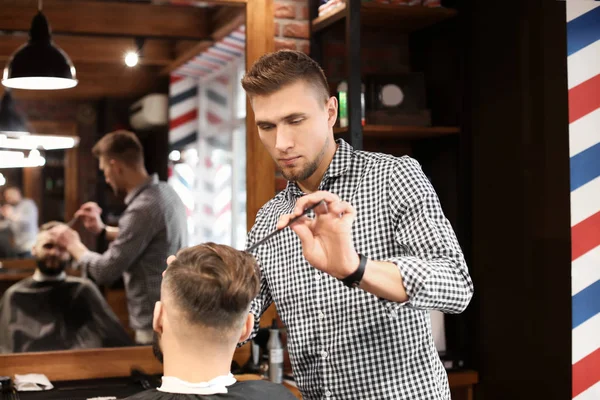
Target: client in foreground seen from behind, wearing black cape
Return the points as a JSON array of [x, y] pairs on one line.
[[202, 315]]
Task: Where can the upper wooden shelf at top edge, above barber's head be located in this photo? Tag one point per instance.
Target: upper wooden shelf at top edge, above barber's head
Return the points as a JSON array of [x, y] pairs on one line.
[[402, 18]]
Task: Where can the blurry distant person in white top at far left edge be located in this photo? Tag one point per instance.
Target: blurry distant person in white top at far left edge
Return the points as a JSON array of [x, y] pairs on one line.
[[21, 217]]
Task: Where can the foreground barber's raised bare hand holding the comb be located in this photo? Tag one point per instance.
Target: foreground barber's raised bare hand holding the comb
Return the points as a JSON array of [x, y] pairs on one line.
[[326, 238]]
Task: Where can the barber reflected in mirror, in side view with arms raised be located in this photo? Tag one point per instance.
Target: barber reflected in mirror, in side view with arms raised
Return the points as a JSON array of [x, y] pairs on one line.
[[152, 227]]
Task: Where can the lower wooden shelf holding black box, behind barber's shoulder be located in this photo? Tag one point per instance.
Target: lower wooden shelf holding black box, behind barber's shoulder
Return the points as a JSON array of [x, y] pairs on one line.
[[403, 132]]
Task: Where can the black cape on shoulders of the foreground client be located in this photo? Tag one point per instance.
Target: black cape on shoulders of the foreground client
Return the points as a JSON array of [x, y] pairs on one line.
[[246, 390]]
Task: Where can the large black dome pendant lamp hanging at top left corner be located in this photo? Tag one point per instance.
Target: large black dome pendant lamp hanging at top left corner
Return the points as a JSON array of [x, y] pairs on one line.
[[39, 64]]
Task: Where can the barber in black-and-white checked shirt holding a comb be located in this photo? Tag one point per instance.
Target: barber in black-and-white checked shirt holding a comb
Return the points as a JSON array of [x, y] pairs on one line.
[[381, 228]]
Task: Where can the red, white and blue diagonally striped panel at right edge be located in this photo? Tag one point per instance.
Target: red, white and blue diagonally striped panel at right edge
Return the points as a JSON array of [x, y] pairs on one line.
[[583, 63]]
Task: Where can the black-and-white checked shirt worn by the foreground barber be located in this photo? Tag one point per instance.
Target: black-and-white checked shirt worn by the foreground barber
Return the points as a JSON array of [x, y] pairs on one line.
[[345, 343]]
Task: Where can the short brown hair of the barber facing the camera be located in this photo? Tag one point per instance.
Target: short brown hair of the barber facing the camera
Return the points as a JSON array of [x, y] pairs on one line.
[[273, 71]]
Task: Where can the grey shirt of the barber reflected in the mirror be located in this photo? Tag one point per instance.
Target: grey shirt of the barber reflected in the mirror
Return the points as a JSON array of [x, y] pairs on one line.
[[152, 228]]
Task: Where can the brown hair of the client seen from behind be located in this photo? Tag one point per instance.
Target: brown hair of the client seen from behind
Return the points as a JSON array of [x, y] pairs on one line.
[[213, 284]]
